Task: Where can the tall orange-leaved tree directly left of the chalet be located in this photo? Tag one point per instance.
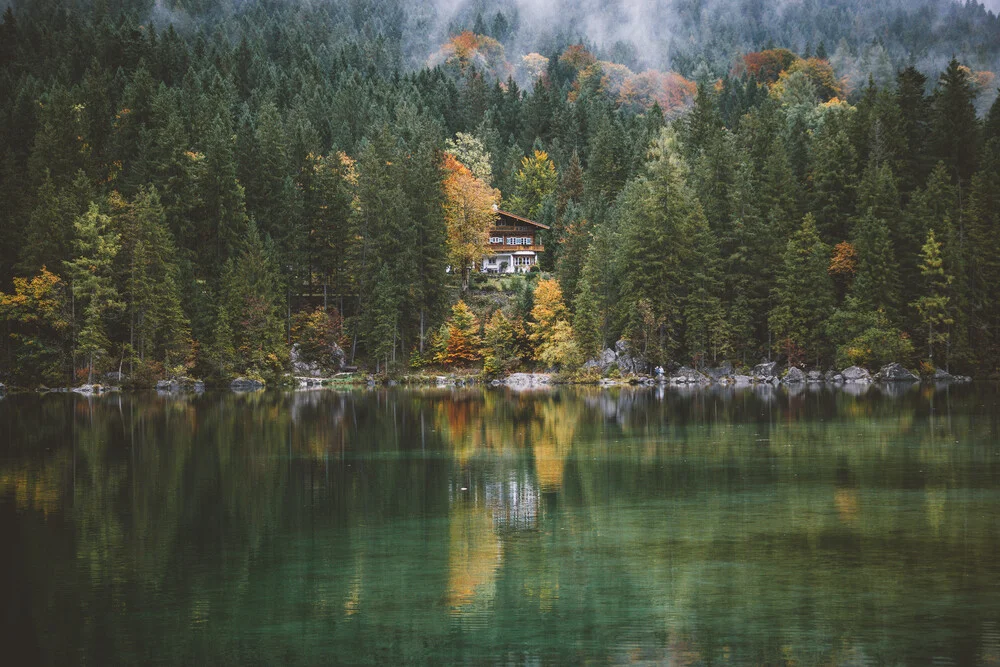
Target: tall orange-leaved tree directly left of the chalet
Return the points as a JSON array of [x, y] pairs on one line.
[[469, 213]]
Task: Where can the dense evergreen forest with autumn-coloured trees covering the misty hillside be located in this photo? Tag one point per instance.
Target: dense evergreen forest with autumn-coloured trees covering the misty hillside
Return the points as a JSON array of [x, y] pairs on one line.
[[193, 193]]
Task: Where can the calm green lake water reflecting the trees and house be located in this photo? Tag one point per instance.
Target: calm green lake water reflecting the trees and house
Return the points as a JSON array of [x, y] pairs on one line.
[[470, 526]]
